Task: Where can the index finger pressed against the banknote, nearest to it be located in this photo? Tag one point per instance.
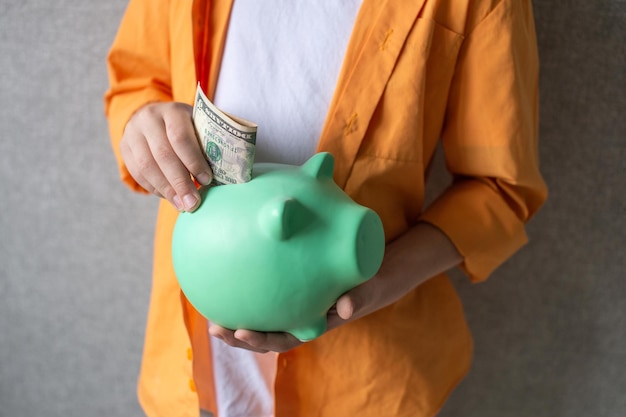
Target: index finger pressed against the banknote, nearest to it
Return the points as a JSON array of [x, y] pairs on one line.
[[182, 136]]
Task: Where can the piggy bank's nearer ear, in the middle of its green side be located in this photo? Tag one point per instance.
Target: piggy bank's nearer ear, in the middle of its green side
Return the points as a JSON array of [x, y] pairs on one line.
[[281, 218]]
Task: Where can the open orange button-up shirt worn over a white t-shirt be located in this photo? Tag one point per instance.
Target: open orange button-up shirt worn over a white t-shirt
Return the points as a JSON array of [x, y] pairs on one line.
[[415, 72]]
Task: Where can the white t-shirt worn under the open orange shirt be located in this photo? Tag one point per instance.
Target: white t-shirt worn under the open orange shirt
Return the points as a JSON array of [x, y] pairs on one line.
[[279, 69]]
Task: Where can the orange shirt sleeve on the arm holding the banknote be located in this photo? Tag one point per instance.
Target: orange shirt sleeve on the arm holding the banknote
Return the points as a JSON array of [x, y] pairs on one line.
[[138, 68]]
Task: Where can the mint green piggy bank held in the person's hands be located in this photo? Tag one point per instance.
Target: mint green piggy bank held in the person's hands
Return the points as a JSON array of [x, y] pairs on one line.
[[275, 253]]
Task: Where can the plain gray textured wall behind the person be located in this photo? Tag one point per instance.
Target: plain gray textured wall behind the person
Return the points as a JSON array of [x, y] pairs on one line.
[[75, 245]]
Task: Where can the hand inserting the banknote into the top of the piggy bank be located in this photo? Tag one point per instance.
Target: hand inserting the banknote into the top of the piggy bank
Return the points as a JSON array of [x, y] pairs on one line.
[[160, 150]]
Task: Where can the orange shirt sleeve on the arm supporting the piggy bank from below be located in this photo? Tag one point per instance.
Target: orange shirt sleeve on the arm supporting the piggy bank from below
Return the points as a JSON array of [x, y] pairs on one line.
[[490, 141]]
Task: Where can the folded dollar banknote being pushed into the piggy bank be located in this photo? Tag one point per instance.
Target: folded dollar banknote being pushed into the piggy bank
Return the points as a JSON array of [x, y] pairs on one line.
[[228, 142]]
